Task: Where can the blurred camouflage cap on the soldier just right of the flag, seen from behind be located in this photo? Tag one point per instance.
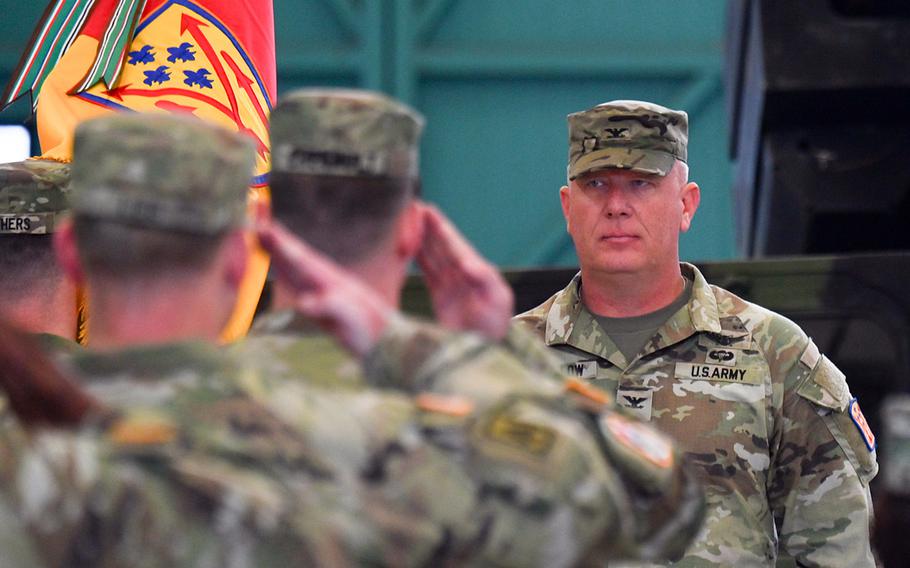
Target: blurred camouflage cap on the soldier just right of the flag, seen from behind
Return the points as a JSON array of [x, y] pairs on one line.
[[344, 132]]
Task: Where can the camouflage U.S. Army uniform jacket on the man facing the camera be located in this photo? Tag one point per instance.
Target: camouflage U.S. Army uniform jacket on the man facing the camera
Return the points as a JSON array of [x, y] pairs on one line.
[[764, 417]]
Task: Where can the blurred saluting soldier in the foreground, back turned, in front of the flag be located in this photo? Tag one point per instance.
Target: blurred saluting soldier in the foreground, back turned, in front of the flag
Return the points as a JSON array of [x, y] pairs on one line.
[[204, 459]]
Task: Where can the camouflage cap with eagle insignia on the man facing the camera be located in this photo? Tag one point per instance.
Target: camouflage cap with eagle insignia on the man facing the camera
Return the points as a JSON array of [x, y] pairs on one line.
[[632, 135]]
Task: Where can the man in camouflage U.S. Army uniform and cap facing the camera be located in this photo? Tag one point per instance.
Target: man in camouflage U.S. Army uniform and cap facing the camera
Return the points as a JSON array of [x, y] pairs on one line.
[[768, 421]]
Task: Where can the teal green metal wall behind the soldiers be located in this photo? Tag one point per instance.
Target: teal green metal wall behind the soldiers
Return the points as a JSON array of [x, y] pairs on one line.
[[495, 79]]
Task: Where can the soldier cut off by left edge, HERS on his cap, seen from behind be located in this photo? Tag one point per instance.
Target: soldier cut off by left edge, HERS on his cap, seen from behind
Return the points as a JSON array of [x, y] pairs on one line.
[[36, 296]]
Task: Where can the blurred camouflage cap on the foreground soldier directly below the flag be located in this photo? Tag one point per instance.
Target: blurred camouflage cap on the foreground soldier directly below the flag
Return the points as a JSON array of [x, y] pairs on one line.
[[164, 172]]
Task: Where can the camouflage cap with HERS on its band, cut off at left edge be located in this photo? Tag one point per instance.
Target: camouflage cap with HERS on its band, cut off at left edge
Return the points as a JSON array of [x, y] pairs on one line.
[[33, 196]]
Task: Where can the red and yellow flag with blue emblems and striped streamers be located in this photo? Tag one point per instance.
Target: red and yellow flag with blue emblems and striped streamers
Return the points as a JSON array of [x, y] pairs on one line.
[[214, 59]]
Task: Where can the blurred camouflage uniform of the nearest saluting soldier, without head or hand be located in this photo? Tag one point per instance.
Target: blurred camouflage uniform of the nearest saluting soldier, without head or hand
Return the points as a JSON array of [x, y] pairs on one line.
[[212, 462]]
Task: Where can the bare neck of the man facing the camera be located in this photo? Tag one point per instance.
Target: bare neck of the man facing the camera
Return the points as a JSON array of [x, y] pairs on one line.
[[623, 295]]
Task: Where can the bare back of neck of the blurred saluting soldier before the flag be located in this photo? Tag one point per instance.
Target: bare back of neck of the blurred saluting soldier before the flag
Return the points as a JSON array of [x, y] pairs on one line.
[[136, 315]]
